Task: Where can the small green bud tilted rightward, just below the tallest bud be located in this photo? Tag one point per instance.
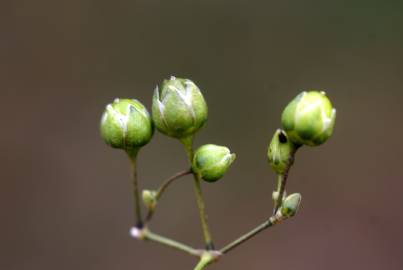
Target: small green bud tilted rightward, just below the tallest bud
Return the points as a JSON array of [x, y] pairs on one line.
[[211, 161]]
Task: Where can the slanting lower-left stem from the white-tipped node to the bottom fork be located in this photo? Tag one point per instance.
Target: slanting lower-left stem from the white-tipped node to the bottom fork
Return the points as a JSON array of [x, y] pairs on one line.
[[153, 237]]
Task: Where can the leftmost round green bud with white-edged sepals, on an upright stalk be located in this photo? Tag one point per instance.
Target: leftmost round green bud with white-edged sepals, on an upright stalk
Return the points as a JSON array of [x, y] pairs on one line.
[[126, 124]]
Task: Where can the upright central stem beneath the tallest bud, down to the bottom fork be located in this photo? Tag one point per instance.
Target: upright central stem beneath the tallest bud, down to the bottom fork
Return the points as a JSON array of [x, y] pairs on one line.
[[188, 144]]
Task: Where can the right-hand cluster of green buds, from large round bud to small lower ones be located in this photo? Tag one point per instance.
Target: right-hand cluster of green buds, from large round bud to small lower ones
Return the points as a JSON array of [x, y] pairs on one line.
[[307, 120]]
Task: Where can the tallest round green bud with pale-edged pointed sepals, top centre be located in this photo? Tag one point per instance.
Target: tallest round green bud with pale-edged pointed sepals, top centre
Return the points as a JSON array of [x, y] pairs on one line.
[[179, 109]]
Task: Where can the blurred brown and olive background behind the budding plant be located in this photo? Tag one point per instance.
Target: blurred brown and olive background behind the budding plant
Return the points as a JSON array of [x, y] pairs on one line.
[[65, 199]]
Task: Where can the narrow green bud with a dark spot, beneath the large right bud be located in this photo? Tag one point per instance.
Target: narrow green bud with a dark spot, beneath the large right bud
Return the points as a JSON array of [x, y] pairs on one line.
[[280, 152]]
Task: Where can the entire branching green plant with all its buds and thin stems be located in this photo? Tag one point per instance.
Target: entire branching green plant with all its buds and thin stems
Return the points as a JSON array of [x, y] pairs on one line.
[[179, 111]]
